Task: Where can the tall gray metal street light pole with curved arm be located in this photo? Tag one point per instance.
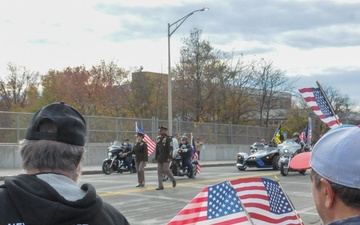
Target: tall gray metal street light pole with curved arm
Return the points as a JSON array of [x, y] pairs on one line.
[[177, 25]]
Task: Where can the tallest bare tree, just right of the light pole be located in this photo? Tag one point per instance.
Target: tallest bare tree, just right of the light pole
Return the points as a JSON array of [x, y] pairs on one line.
[[195, 78]]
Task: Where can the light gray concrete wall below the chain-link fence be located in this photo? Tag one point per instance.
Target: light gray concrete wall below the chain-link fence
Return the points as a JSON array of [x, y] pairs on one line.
[[97, 152]]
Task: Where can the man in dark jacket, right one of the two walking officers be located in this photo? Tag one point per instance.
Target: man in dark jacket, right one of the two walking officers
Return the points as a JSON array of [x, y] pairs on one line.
[[163, 156]]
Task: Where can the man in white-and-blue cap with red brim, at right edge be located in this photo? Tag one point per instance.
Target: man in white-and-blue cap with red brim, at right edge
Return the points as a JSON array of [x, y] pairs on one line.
[[335, 175]]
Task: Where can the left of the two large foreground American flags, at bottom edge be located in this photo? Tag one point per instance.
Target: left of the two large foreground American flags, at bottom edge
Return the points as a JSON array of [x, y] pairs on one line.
[[217, 204]]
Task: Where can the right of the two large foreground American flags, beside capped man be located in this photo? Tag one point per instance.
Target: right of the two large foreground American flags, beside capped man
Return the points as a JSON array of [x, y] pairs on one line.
[[265, 202]]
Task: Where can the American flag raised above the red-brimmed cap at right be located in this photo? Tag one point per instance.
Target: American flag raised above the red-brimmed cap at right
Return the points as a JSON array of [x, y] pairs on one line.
[[318, 104]]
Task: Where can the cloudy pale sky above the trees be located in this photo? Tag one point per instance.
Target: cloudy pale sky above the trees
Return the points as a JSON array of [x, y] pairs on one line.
[[317, 40]]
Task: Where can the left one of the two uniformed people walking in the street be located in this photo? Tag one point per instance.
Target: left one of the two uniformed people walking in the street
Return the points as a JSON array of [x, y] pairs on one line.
[[141, 157]]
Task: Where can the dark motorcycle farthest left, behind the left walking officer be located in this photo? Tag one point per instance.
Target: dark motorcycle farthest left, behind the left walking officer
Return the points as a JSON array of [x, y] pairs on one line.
[[116, 161]]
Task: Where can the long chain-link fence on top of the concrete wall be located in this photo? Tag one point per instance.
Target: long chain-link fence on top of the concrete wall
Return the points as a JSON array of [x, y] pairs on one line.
[[107, 129]]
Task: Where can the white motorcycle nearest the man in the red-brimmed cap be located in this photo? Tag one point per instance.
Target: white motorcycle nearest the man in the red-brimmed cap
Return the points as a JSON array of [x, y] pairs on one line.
[[288, 149]]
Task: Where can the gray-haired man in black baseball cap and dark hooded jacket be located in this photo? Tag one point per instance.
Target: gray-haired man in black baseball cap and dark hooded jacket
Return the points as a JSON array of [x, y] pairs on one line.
[[52, 156]]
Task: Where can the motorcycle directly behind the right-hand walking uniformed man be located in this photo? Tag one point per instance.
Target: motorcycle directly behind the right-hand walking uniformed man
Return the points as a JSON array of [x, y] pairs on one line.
[[176, 165]]
